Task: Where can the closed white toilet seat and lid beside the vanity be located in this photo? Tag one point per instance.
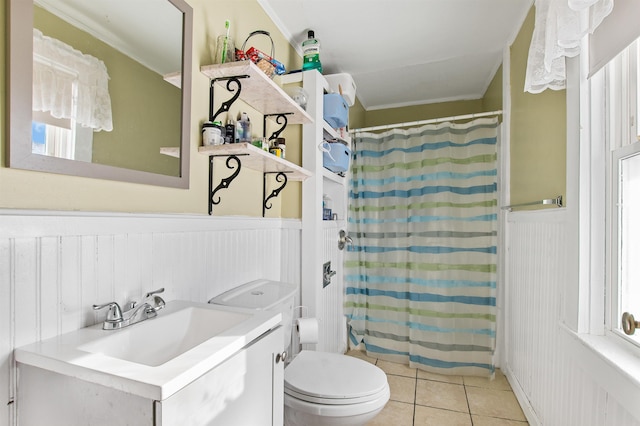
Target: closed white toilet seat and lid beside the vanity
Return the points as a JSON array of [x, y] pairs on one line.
[[334, 379]]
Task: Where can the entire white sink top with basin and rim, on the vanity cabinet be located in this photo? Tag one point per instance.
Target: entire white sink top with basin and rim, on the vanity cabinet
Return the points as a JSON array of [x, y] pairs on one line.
[[154, 358]]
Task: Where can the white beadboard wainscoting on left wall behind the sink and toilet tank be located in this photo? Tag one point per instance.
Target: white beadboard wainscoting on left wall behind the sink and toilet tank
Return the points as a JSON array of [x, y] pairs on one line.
[[53, 267]]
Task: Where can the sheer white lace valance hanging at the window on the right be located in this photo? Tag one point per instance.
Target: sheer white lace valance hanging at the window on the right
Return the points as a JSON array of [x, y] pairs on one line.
[[560, 25]]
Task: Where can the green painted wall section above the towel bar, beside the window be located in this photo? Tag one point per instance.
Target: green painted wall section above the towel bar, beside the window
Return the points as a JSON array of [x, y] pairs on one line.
[[538, 131]]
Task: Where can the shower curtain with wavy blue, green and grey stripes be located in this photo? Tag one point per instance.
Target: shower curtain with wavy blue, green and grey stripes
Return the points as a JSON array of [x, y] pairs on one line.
[[420, 276]]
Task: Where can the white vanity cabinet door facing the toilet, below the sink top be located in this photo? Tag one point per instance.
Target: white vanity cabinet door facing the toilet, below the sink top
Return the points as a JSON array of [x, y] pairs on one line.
[[247, 389]]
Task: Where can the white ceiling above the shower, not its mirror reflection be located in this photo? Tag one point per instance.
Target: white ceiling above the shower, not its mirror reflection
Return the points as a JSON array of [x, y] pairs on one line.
[[406, 52]]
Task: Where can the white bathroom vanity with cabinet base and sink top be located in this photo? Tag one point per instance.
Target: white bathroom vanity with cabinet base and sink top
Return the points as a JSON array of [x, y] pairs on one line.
[[194, 364]]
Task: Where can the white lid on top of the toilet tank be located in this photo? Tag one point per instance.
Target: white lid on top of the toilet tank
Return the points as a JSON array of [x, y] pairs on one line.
[[258, 294]]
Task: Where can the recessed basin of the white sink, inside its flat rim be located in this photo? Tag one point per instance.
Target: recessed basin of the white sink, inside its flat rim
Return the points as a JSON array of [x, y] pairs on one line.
[[155, 341]]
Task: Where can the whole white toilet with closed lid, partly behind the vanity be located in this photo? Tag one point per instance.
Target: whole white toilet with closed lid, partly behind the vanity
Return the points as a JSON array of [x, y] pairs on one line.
[[320, 388]]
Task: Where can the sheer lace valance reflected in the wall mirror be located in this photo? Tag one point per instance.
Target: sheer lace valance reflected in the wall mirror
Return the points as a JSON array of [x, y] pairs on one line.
[[70, 84]]
